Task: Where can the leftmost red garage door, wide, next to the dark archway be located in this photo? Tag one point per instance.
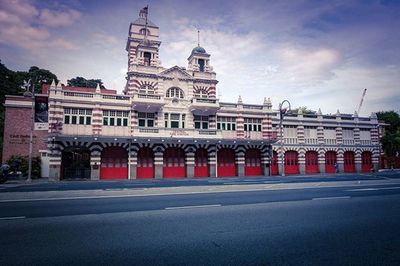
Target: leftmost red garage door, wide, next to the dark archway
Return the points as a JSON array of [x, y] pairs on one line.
[[114, 163]]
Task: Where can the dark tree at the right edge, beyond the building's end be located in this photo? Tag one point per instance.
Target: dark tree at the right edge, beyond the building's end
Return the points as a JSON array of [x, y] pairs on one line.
[[391, 139]]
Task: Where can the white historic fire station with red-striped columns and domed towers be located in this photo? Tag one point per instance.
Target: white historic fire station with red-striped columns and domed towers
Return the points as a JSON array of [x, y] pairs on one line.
[[168, 123]]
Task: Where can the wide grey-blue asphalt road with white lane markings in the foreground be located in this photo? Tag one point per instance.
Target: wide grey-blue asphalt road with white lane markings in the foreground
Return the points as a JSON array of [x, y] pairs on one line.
[[309, 225]]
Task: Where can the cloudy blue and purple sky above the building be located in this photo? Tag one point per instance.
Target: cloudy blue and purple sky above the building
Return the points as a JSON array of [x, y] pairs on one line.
[[318, 54]]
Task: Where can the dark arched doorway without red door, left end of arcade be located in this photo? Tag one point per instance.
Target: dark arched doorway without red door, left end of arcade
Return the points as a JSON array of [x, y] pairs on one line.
[[75, 163]]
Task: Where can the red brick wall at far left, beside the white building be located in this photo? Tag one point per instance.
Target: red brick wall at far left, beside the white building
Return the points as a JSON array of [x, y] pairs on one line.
[[16, 133]]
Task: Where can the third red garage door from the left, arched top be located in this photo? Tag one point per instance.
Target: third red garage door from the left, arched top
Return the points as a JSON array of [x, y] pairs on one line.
[[174, 163]]
